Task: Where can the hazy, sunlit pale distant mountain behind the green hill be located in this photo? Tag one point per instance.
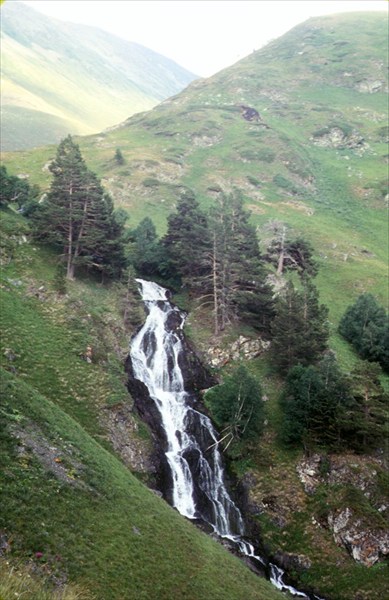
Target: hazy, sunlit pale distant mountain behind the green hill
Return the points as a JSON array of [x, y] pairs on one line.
[[60, 78]]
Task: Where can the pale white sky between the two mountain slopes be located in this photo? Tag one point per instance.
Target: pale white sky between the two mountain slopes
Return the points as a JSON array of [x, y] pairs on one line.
[[204, 36]]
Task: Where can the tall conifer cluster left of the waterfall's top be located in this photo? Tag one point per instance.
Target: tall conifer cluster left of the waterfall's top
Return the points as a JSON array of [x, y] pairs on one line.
[[78, 217]]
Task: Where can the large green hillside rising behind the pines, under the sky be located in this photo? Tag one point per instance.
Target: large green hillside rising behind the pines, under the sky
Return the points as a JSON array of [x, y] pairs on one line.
[[315, 158]]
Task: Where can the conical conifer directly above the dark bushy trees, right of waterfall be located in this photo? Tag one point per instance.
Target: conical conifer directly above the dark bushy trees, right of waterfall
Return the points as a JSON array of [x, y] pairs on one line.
[[300, 328]]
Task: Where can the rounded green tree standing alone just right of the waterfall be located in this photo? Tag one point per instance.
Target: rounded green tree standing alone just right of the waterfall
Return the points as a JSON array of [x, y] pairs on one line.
[[237, 406]]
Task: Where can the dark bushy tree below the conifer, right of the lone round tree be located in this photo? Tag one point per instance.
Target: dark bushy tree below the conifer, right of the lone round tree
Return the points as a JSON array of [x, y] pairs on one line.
[[315, 401]]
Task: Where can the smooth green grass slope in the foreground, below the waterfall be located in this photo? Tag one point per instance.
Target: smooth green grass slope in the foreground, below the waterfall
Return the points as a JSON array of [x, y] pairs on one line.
[[73, 507]]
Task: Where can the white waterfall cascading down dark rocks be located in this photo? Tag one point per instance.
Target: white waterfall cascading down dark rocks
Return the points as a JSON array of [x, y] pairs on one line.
[[199, 491]]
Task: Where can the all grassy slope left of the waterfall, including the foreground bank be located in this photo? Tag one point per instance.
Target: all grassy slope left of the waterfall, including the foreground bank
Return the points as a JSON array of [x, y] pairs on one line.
[[71, 510]]
